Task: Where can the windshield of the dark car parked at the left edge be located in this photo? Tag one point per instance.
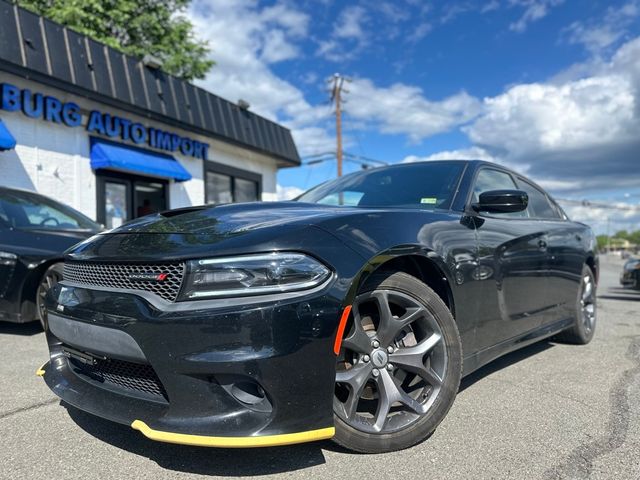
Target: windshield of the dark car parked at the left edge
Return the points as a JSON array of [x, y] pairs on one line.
[[27, 210]]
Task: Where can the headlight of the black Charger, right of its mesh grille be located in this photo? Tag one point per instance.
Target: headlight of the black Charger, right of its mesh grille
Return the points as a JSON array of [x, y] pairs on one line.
[[252, 275]]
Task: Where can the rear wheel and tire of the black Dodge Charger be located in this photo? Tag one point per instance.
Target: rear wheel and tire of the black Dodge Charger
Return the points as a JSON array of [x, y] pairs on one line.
[[584, 327]]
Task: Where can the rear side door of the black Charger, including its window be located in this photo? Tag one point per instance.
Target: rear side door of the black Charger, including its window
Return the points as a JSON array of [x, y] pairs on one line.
[[512, 268]]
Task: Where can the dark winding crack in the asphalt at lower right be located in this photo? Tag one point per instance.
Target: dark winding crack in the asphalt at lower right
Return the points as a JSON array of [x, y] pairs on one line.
[[579, 464]]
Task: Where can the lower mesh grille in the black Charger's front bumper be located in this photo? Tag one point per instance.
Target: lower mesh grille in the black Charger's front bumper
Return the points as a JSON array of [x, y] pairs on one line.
[[130, 376]]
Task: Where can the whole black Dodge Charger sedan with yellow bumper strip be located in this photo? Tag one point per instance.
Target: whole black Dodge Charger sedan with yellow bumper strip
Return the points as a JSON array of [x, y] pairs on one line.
[[350, 313]]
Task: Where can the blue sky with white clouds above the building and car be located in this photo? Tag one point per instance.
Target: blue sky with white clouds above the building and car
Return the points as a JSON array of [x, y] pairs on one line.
[[548, 87]]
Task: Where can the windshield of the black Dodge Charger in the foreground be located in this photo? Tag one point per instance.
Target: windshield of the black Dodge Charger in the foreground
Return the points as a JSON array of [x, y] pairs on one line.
[[426, 185]]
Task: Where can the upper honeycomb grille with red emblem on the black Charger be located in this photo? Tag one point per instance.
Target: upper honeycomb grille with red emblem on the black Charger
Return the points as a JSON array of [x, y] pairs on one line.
[[119, 275]]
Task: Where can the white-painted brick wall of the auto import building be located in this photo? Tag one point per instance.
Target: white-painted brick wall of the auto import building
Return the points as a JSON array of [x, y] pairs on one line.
[[54, 159]]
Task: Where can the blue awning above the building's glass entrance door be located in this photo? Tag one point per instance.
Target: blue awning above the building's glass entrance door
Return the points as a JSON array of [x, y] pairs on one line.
[[116, 156]]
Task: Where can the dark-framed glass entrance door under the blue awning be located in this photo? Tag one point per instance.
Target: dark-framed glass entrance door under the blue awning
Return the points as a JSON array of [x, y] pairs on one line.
[[124, 197]]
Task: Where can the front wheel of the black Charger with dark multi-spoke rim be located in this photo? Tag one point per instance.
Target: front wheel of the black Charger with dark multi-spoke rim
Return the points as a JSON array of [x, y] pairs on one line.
[[399, 367]]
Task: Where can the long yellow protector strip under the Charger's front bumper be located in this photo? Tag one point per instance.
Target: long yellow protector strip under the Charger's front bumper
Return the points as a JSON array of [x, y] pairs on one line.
[[233, 442]]
